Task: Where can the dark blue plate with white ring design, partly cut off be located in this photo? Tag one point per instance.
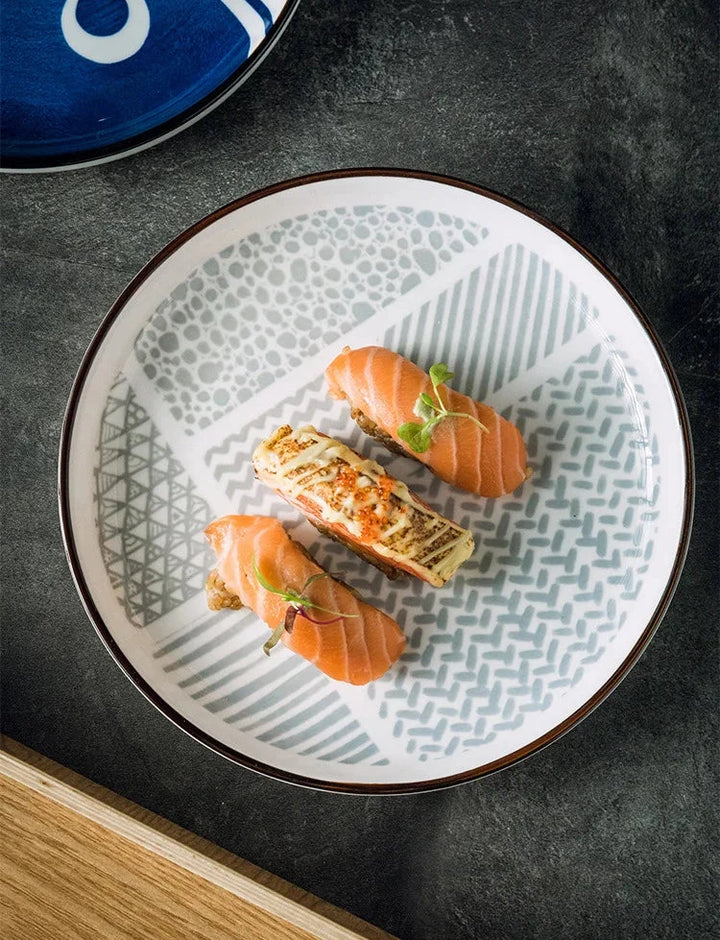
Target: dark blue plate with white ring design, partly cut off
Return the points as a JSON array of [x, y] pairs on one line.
[[86, 81]]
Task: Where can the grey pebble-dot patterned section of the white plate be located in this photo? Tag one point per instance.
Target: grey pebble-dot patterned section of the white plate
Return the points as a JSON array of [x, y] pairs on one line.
[[253, 312]]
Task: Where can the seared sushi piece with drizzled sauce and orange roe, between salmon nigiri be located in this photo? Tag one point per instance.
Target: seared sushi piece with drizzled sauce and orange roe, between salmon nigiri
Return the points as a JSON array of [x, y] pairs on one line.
[[355, 501]]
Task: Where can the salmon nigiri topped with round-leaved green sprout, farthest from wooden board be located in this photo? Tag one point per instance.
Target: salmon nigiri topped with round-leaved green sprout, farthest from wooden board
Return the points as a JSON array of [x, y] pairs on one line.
[[461, 440]]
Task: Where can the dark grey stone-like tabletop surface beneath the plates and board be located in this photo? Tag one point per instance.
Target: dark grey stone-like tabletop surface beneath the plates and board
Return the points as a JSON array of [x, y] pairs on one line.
[[602, 117]]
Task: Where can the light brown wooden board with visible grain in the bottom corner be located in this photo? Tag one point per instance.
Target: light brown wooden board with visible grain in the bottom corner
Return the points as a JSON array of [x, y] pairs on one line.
[[78, 861]]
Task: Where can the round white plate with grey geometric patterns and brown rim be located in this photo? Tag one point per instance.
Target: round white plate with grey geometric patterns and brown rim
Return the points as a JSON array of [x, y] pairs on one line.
[[225, 335]]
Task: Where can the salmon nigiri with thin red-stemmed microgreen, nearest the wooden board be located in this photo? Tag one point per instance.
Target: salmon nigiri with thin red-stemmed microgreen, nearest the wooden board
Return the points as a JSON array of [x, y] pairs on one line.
[[310, 612]]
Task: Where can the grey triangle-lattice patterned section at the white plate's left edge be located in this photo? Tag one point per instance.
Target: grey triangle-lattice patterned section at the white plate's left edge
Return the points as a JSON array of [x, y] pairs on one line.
[[150, 517]]
